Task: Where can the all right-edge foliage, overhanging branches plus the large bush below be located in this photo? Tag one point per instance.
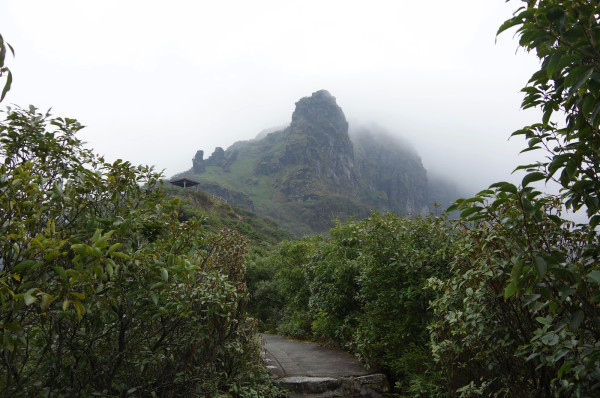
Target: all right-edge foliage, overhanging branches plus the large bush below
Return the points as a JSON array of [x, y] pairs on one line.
[[524, 297]]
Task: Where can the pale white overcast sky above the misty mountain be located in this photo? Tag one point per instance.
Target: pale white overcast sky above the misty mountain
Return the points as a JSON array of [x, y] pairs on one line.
[[154, 81]]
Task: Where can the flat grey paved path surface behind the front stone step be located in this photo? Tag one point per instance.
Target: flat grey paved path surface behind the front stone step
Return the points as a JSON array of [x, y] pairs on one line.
[[287, 358]]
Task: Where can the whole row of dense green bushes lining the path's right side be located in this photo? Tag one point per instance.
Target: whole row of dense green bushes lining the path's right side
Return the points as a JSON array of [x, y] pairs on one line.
[[363, 289]]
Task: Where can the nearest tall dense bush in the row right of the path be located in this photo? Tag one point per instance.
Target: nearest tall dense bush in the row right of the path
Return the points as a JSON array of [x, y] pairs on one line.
[[397, 257]]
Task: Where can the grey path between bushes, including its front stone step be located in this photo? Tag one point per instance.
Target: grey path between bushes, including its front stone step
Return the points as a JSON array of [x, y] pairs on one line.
[[309, 370]]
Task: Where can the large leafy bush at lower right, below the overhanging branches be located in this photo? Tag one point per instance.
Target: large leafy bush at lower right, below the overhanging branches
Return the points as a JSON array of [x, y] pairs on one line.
[[510, 318]]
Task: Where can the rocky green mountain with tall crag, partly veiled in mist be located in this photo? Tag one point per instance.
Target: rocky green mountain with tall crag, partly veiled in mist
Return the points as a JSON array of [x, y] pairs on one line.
[[314, 171]]
